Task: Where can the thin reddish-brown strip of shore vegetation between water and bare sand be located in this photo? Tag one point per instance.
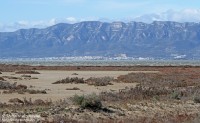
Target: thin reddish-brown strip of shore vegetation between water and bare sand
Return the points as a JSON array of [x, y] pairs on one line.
[[12, 67]]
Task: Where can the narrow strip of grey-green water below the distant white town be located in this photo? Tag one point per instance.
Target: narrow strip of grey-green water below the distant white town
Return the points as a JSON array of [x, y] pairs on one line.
[[58, 62]]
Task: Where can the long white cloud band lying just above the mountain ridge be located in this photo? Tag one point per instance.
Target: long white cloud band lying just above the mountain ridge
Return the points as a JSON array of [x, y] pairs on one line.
[[186, 15]]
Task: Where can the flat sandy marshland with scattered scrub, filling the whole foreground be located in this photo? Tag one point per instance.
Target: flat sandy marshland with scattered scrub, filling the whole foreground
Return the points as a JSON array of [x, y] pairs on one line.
[[146, 94]]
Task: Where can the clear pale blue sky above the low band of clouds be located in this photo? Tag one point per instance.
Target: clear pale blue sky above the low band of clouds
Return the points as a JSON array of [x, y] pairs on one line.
[[34, 10]]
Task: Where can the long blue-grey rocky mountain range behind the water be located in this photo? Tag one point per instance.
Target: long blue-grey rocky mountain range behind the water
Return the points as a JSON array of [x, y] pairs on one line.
[[159, 39]]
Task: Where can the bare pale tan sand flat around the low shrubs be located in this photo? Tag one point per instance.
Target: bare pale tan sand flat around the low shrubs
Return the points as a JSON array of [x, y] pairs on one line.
[[58, 91]]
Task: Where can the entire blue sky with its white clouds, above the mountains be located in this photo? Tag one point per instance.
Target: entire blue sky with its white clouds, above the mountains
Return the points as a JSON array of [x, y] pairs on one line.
[[17, 14]]
